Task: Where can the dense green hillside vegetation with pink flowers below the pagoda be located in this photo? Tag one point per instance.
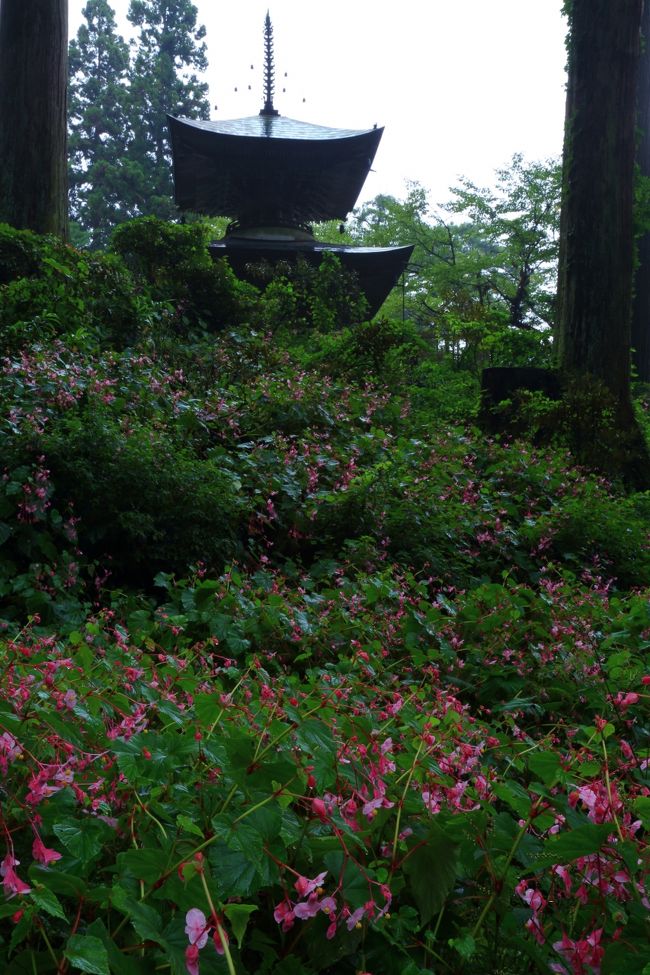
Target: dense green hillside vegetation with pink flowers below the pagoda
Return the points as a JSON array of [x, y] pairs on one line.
[[297, 664]]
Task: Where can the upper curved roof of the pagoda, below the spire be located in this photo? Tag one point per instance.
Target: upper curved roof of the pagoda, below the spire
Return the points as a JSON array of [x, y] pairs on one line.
[[270, 169]]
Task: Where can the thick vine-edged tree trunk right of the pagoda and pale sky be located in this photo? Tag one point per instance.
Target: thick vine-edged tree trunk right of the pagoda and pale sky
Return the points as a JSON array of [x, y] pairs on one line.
[[597, 247]]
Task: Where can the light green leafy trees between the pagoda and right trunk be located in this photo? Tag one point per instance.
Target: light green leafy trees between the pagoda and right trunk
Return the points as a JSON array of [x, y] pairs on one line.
[[481, 290]]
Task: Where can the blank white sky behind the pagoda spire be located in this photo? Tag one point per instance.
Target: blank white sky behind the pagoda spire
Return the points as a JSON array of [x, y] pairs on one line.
[[460, 85]]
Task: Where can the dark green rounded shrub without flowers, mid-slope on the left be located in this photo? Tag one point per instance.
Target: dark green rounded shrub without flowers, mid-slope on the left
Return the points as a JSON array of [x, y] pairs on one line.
[[144, 502]]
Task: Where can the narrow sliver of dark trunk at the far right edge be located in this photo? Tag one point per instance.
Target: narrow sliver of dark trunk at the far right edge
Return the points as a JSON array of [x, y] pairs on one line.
[[641, 306]]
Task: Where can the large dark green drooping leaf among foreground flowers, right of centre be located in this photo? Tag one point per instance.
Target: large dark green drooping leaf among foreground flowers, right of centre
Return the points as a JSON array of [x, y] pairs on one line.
[[431, 871]]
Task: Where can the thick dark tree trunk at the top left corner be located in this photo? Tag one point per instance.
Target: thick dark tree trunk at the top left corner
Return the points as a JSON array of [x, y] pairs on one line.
[[33, 82]]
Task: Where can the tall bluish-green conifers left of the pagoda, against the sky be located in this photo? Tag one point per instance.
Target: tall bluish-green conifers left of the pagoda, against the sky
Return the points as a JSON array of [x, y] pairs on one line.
[[120, 157]]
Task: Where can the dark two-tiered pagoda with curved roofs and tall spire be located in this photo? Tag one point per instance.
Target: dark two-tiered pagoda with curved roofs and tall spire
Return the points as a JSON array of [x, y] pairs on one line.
[[273, 177]]
